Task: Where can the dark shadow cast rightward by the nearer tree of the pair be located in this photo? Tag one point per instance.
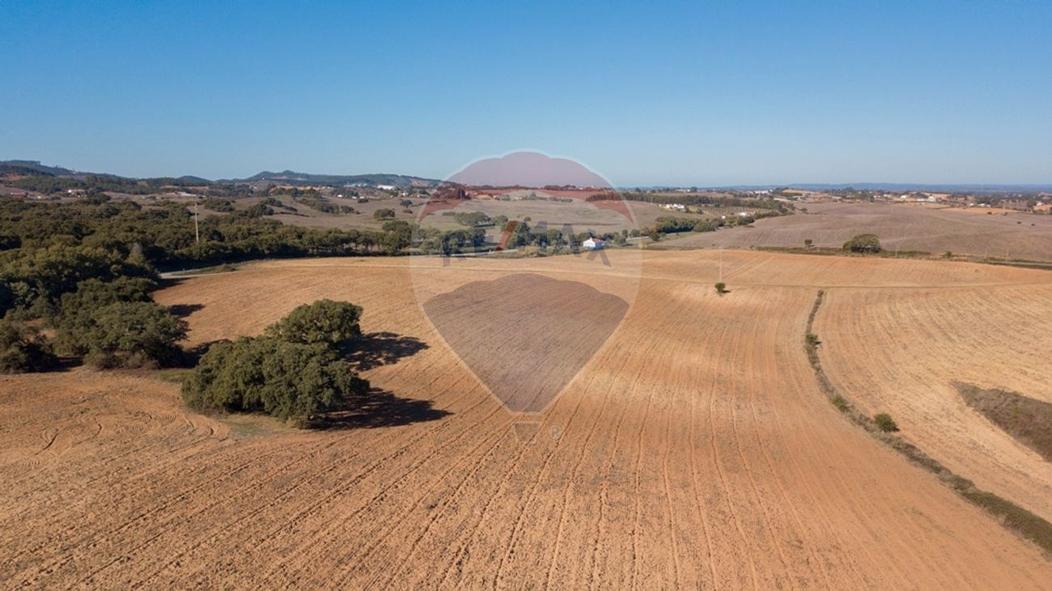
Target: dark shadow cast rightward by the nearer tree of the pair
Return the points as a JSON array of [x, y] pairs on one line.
[[378, 409]]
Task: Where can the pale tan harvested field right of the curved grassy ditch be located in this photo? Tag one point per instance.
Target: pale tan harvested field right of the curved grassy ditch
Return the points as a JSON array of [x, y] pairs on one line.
[[902, 352]]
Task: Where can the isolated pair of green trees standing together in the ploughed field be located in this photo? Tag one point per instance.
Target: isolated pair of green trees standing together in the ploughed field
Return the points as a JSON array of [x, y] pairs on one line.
[[294, 372]]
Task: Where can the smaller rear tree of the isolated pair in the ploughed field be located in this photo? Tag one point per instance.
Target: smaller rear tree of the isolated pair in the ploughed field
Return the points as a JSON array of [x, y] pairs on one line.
[[327, 322]]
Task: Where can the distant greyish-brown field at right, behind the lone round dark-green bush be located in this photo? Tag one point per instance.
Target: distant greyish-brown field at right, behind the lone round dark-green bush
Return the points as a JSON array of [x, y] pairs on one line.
[[905, 228]]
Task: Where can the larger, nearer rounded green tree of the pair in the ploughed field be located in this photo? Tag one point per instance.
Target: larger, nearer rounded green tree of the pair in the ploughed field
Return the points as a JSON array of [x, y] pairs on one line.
[[290, 381]]
